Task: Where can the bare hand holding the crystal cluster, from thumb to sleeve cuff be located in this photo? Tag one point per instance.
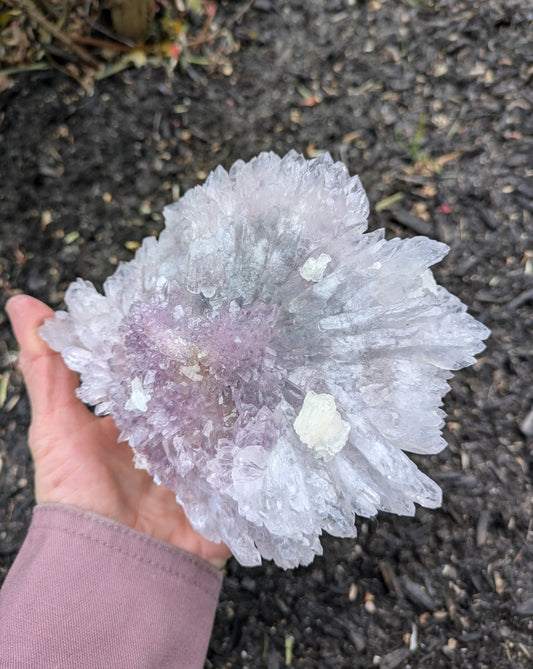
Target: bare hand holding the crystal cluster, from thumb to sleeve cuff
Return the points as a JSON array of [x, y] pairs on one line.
[[78, 458]]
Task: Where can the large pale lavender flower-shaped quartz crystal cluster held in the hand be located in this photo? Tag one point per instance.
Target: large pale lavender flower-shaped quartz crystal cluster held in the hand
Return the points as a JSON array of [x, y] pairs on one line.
[[271, 362]]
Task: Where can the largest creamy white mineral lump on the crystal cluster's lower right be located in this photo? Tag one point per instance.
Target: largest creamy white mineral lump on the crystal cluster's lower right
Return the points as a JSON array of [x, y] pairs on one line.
[[320, 426]]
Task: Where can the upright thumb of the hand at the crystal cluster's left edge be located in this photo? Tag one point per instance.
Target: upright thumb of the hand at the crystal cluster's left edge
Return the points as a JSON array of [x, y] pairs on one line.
[[51, 385]]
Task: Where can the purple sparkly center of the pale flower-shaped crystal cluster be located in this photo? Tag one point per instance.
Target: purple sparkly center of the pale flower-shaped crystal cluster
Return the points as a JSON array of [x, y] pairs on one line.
[[198, 367]]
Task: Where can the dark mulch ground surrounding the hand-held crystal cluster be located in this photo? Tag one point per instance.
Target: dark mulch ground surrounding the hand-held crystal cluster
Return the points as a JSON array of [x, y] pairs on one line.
[[430, 102]]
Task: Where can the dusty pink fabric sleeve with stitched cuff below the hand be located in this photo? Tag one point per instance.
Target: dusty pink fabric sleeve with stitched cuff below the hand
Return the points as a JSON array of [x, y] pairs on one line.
[[85, 592]]
